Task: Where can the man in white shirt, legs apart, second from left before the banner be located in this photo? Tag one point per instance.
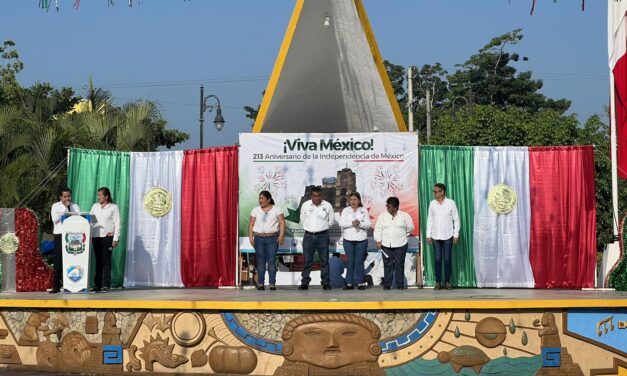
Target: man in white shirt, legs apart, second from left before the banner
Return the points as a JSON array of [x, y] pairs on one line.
[[316, 217]]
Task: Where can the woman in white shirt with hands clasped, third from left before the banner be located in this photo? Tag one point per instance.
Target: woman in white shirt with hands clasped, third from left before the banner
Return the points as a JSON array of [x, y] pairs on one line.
[[355, 222]]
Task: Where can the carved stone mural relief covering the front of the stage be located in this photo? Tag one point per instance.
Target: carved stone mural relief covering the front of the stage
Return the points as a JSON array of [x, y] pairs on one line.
[[445, 342]]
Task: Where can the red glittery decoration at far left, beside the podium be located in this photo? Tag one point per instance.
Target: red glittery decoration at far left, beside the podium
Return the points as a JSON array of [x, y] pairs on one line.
[[31, 272]]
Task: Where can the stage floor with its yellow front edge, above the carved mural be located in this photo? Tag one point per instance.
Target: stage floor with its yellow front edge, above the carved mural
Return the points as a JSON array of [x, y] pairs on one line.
[[291, 299]]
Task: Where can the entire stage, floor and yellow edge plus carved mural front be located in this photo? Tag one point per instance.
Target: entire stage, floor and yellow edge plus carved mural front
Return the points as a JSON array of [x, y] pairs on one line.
[[290, 332]]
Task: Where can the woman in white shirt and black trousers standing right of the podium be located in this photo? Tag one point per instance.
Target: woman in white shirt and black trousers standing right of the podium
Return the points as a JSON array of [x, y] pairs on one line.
[[105, 233]]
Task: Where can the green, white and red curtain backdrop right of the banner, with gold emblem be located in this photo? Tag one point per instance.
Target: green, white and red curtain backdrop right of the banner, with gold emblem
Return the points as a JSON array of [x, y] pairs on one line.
[[545, 239]]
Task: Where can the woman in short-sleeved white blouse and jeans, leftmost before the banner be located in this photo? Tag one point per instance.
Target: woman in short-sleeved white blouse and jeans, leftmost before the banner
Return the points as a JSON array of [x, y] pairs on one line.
[[266, 231]]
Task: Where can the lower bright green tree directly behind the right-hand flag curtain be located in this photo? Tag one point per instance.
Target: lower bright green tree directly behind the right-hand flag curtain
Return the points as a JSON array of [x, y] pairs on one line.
[[490, 125]]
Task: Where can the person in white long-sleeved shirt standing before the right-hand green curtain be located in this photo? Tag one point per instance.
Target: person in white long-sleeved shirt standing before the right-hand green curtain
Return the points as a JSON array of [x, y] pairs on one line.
[[442, 232]]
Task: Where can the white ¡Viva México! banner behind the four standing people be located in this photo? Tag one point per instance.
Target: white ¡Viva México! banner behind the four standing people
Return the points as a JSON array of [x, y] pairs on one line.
[[377, 165]]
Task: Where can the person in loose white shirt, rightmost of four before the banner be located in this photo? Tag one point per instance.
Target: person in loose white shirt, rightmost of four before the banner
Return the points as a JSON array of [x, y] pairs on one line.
[[390, 235]]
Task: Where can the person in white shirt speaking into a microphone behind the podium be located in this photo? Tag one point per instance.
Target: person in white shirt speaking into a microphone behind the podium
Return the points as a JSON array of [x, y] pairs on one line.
[[64, 205]]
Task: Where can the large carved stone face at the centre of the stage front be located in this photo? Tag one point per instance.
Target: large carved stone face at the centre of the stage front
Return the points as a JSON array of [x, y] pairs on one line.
[[332, 344]]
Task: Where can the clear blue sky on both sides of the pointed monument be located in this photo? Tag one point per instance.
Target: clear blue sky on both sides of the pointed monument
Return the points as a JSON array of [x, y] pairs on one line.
[[163, 50]]
